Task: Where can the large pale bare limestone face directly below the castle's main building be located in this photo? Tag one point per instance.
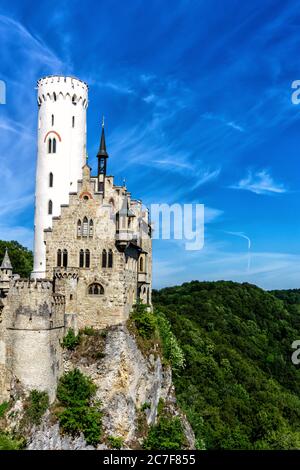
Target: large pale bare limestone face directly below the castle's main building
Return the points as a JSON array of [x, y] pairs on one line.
[[125, 381]]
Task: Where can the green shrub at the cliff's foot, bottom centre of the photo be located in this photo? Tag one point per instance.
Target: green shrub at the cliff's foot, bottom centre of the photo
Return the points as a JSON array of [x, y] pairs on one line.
[[166, 434]]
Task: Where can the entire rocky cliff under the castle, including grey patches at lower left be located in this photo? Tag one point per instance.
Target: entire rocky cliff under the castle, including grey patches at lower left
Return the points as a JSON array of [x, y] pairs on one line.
[[131, 385]]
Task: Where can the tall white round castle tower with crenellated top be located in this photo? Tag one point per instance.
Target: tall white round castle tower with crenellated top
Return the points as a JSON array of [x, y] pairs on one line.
[[62, 103]]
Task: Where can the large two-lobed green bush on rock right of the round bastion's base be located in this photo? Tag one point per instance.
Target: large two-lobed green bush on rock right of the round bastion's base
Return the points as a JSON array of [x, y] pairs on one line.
[[75, 392]]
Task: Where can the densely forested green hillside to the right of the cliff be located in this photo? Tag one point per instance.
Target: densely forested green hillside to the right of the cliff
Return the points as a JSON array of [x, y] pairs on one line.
[[239, 388]]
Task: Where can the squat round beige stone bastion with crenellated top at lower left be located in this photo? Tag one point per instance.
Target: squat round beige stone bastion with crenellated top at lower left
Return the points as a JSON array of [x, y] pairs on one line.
[[34, 328]]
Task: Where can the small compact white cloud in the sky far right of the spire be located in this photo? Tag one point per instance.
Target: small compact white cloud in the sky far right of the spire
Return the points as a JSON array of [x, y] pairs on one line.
[[260, 182]]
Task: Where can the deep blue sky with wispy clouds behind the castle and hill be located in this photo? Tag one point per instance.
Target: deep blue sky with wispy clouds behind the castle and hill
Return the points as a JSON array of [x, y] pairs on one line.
[[197, 99]]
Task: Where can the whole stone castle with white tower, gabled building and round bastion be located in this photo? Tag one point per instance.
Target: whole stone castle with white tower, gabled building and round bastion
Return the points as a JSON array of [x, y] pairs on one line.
[[92, 247]]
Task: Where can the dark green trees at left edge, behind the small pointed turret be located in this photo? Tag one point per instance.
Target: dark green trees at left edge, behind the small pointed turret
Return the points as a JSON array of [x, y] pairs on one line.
[[21, 258]]
